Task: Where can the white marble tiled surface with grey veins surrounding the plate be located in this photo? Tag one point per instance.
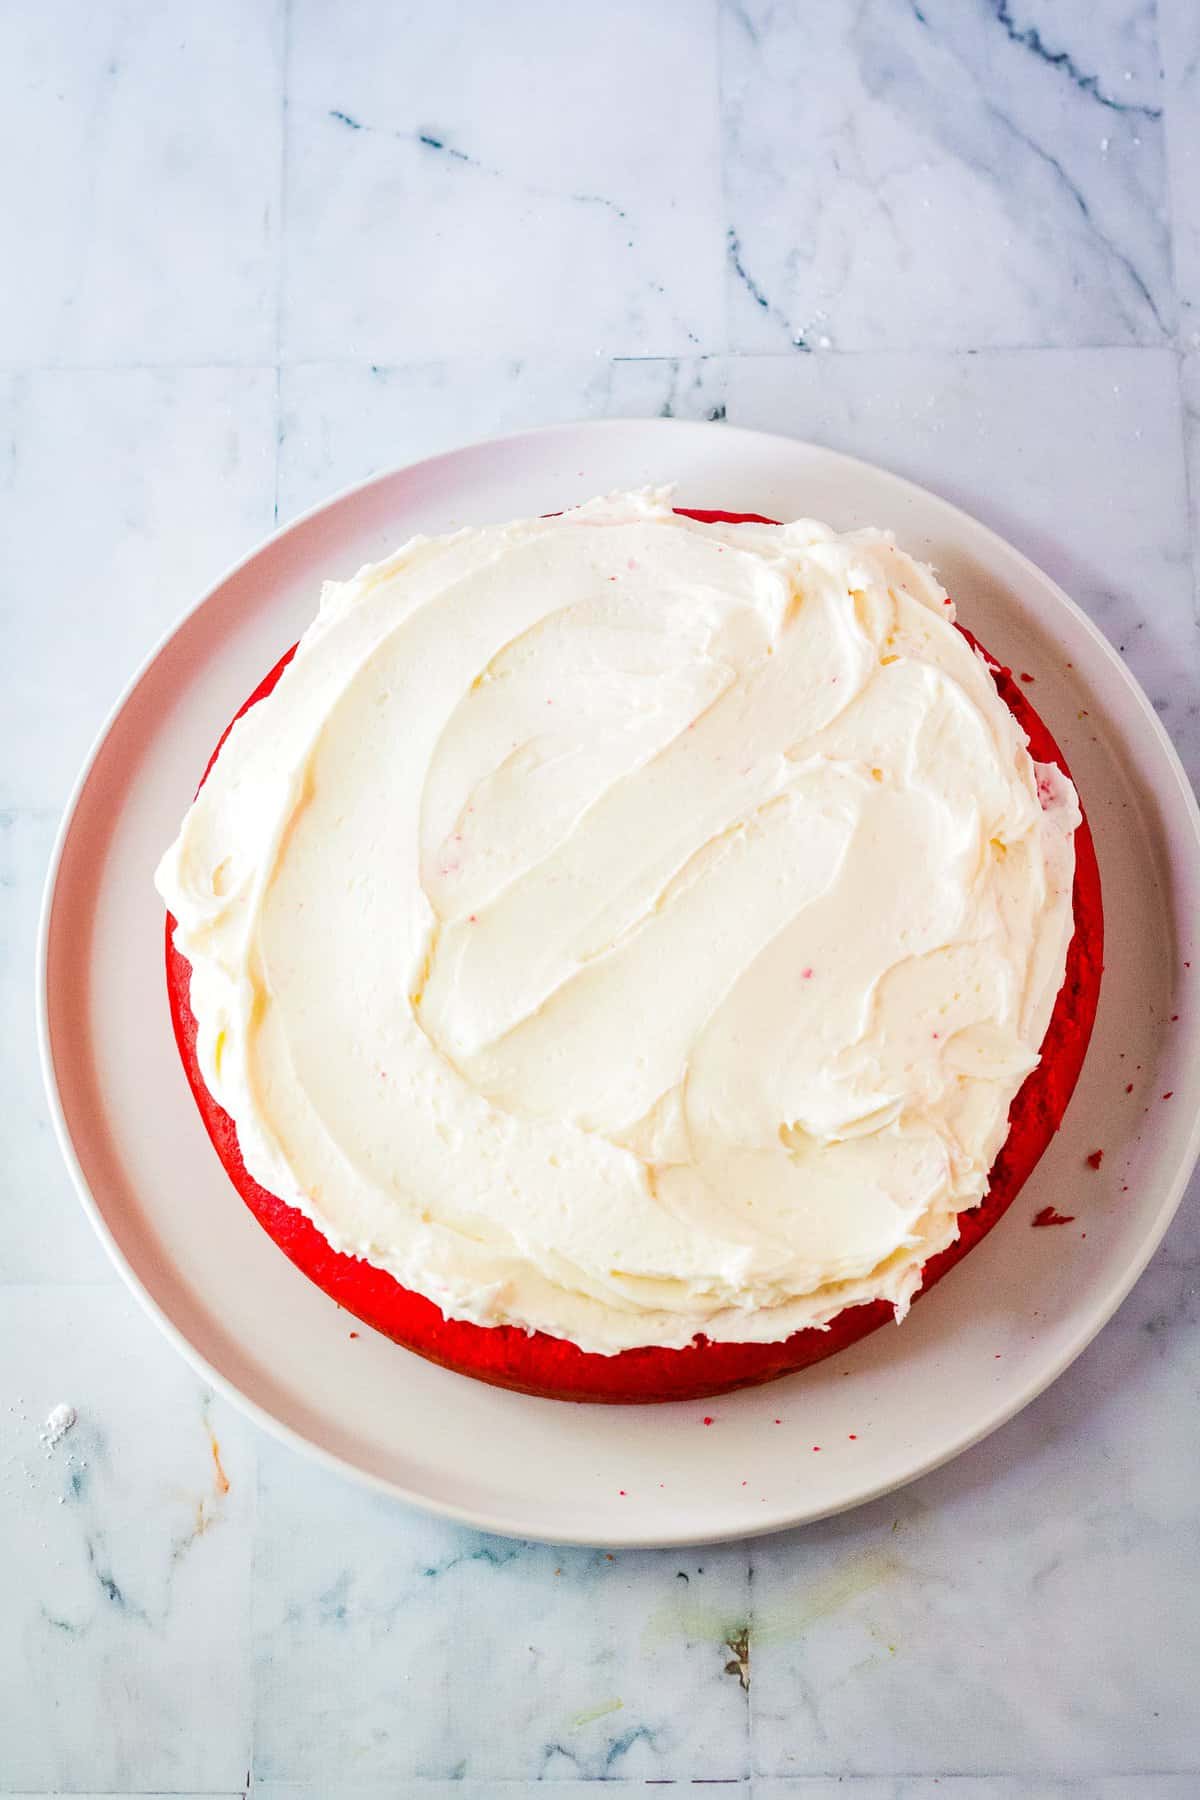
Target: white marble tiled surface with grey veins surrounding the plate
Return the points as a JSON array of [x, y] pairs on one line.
[[256, 249]]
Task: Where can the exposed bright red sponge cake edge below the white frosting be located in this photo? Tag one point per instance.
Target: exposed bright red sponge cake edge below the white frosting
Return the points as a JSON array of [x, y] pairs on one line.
[[555, 1369]]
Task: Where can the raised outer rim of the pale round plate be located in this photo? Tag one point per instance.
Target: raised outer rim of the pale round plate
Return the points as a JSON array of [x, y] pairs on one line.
[[785, 1516]]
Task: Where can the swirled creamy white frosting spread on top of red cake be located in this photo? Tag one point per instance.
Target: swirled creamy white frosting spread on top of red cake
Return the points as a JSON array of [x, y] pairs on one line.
[[629, 928]]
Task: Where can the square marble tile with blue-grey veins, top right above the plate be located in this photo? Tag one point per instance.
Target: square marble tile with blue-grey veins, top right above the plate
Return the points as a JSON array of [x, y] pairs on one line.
[[863, 174]]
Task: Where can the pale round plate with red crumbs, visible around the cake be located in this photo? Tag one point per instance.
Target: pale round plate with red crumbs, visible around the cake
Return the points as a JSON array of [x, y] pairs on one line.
[[980, 1347]]
